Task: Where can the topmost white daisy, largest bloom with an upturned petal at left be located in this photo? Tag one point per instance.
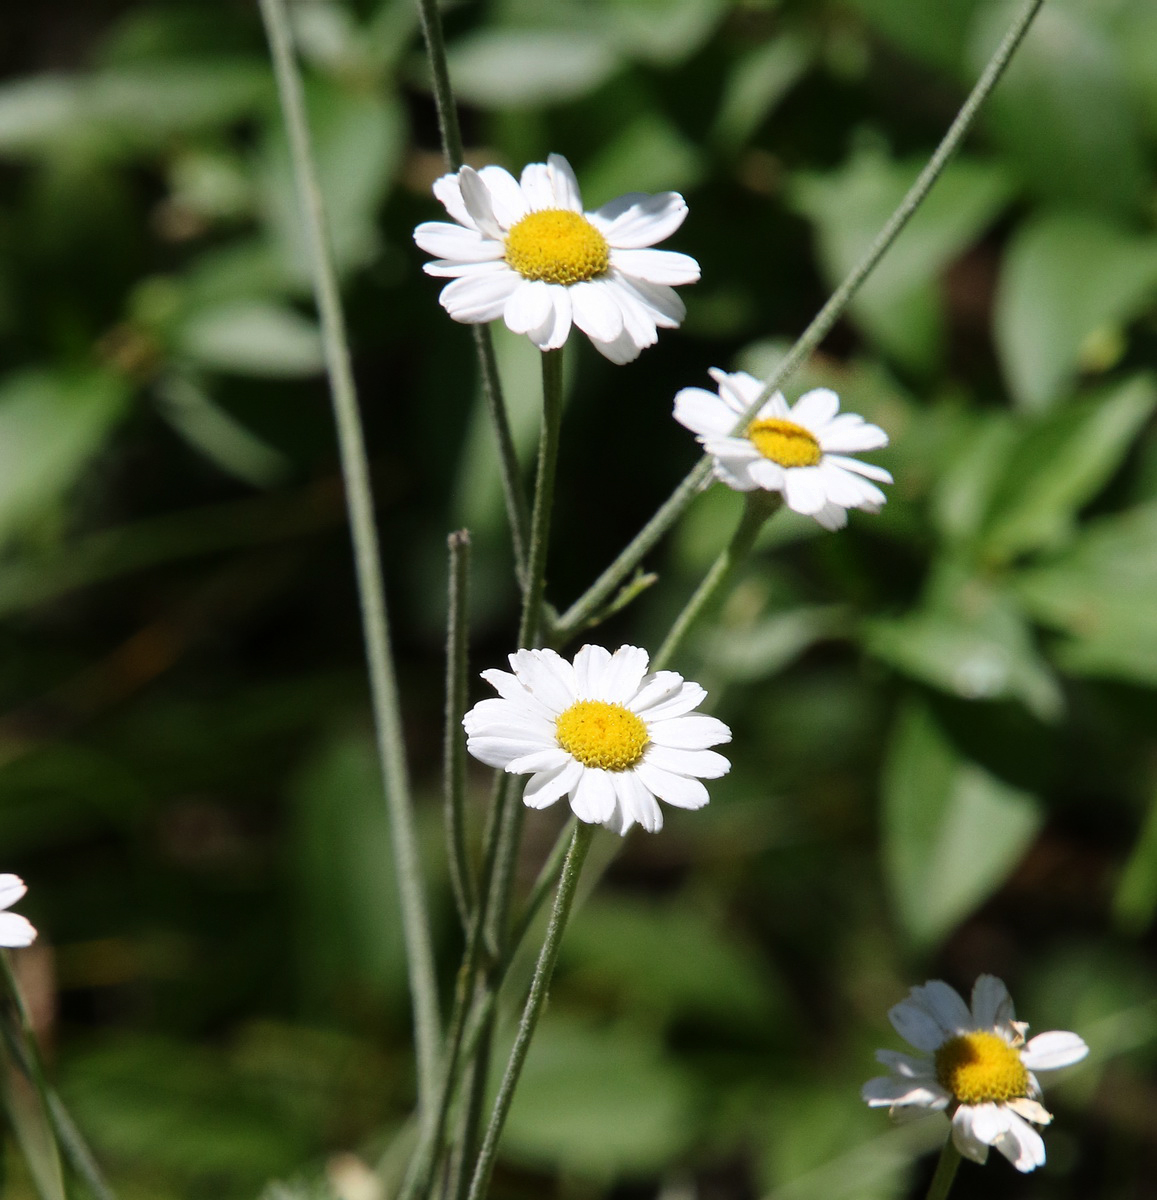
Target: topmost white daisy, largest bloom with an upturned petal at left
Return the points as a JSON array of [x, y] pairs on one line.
[[526, 251]]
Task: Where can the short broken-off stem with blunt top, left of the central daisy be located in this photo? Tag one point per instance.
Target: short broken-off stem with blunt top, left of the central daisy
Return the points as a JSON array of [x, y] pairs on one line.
[[454, 742]]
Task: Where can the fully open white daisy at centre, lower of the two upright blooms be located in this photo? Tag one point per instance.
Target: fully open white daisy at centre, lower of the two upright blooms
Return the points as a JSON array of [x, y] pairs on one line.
[[601, 731]]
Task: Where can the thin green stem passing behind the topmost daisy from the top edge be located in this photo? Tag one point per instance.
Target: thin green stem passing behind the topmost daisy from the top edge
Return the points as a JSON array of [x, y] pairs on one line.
[[484, 345]]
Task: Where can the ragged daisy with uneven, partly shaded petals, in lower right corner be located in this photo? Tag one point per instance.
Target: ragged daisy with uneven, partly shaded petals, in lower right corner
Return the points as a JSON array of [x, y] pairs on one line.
[[976, 1065]]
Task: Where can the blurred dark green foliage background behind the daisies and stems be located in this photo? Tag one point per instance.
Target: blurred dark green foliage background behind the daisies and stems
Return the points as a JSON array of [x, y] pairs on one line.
[[945, 759]]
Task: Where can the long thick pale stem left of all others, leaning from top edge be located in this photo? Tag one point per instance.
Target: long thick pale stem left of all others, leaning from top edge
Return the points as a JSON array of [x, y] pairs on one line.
[[356, 471]]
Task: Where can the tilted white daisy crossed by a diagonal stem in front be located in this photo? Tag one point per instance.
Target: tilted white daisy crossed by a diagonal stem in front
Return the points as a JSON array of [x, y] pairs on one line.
[[800, 452]]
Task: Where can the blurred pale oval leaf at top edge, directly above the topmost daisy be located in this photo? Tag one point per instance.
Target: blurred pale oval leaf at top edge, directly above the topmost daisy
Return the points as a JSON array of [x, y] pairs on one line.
[[526, 68]]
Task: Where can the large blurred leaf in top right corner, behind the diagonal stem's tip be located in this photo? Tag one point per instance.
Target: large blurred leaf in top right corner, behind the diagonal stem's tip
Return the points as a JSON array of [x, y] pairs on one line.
[[1063, 111]]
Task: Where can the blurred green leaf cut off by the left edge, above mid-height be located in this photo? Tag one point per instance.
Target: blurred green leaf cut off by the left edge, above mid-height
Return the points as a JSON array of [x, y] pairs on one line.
[[52, 424]]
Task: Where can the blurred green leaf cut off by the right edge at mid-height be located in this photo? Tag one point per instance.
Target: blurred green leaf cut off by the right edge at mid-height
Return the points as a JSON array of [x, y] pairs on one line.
[[1102, 591]]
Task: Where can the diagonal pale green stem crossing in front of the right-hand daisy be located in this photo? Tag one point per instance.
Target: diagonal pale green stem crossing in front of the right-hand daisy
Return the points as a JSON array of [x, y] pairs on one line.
[[602, 591]]
